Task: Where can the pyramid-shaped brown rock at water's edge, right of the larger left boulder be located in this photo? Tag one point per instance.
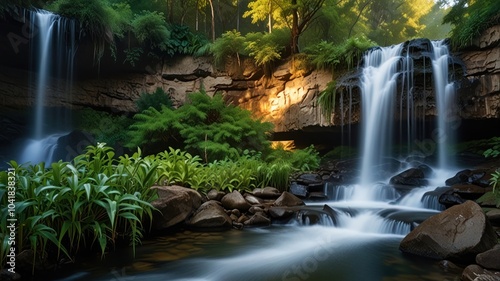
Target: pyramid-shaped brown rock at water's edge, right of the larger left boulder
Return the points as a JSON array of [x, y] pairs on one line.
[[210, 215]]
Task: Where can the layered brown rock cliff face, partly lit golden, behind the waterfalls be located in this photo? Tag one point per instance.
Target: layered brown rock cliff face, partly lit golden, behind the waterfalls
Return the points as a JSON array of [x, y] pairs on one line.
[[287, 97]]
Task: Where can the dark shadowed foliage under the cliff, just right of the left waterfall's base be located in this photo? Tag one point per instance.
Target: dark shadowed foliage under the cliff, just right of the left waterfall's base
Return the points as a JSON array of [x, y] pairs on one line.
[[104, 127]]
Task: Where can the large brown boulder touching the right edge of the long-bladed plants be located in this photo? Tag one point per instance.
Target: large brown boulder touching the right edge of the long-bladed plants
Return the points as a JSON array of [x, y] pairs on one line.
[[175, 203]]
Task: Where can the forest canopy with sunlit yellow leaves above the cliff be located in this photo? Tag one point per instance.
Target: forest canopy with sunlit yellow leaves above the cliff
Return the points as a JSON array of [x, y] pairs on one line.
[[164, 28]]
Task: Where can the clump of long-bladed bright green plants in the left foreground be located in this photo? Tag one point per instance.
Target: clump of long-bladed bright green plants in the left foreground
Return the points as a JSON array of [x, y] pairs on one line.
[[92, 202]]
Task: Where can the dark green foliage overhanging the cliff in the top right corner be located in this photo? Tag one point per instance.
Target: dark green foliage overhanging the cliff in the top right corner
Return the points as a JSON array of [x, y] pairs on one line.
[[470, 18]]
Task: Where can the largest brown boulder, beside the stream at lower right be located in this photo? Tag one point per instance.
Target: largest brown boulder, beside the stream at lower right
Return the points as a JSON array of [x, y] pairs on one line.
[[458, 234]]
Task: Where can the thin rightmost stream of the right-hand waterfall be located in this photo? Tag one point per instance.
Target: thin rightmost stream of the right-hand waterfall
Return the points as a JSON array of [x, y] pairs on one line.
[[445, 102]]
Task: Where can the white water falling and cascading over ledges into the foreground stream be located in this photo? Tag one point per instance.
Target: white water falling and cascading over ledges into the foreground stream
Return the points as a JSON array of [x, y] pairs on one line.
[[358, 240]]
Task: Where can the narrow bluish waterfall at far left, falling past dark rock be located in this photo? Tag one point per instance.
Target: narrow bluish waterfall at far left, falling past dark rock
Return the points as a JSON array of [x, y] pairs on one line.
[[53, 50]]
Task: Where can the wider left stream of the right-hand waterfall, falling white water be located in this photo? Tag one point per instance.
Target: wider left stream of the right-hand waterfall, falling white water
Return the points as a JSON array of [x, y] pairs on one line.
[[378, 90]]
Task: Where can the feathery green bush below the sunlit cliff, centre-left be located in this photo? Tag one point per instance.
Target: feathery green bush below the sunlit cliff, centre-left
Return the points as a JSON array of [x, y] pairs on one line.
[[203, 126]]
